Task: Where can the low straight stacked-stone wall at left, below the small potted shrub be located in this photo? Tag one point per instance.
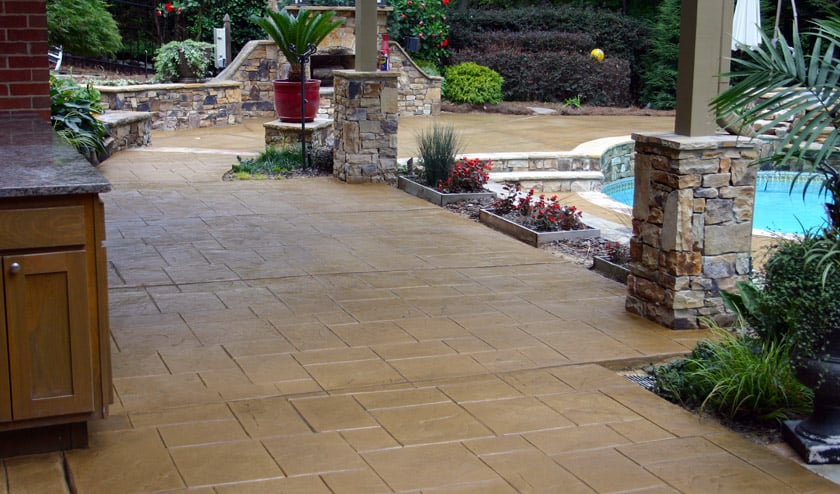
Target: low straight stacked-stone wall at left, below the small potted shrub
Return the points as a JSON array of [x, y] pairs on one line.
[[179, 106]]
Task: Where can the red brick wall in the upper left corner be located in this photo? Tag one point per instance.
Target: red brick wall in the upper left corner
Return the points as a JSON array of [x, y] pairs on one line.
[[24, 66]]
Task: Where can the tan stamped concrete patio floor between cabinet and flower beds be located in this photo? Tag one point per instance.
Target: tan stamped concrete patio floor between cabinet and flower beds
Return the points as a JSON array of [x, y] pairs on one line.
[[308, 336]]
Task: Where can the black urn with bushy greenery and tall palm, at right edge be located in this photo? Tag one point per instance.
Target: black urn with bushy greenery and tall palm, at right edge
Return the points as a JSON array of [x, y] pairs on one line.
[[801, 289]]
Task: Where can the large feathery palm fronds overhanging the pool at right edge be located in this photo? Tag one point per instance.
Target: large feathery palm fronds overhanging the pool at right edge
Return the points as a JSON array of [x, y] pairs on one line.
[[777, 84]]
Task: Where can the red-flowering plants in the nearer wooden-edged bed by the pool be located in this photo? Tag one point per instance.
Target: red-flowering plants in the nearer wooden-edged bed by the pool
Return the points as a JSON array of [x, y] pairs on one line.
[[538, 213]]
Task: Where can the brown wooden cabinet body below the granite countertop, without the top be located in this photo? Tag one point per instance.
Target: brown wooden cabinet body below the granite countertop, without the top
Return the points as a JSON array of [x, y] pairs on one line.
[[54, 348]]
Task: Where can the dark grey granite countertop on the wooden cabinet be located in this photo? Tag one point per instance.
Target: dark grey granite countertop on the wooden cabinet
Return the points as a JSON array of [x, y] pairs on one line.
[[38, 164]]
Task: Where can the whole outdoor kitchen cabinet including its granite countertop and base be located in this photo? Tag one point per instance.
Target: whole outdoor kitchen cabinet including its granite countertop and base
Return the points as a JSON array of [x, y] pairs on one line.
[[55, 364]]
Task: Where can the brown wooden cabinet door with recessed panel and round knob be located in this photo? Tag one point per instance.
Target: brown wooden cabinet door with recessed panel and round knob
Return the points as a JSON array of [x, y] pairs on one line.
[[48, 334]]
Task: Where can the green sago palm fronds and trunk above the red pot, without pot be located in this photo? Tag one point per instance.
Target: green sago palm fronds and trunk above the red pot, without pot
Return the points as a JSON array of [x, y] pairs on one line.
[[294, 35]]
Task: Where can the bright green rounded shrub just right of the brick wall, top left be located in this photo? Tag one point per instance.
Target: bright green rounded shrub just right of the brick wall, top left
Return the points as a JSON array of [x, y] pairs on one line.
[[83, 27]]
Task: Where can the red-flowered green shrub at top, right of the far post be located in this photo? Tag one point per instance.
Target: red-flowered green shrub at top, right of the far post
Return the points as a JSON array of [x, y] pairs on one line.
[[426, 20]]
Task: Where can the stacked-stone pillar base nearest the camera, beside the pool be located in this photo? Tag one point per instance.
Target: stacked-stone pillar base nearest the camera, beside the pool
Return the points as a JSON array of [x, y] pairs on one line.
[[692, 226]]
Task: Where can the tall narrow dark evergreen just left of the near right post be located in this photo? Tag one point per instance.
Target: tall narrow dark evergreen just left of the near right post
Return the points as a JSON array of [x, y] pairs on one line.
[[659, 74]]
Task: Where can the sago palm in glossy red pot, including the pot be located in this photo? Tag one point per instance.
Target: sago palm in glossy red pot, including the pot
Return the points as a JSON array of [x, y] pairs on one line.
[[297, 37]]
